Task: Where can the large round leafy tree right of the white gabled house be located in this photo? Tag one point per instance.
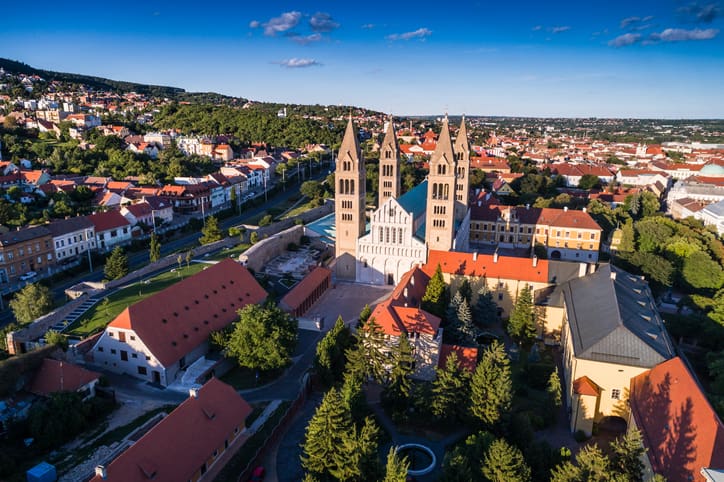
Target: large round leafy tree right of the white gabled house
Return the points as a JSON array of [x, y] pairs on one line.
[[263, 338]]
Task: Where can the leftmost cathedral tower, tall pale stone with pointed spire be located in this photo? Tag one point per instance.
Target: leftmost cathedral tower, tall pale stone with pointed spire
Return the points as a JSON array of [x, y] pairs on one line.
[[349, 203]]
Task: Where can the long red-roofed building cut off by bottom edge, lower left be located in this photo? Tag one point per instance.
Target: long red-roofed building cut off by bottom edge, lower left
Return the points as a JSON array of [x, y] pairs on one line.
[[192, 443]]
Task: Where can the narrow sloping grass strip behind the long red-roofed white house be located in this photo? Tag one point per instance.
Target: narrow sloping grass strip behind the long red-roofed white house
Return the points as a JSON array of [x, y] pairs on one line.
[[98, 316]]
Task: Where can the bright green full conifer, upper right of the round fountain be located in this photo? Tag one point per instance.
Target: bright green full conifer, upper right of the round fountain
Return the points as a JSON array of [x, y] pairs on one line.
[[491, 388]]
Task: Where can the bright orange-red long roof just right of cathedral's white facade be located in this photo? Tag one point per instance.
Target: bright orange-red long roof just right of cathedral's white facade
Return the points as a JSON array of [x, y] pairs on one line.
[[507, 267]]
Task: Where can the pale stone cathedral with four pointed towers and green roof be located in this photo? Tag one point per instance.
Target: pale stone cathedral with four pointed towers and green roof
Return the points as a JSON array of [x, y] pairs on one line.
[[433, 215]]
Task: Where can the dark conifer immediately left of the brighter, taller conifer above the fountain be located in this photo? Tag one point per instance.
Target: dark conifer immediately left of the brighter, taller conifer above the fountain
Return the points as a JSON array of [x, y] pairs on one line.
[[450, 390]]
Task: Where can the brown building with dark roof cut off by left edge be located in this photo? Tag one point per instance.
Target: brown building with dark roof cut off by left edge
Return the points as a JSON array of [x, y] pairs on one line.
[[25, 250]]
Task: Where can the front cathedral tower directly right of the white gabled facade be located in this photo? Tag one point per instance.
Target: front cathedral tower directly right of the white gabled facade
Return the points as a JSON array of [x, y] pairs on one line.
[[440, 211]]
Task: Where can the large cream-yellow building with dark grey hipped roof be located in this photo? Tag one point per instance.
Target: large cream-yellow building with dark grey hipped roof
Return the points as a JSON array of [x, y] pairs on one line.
[[611, 332]]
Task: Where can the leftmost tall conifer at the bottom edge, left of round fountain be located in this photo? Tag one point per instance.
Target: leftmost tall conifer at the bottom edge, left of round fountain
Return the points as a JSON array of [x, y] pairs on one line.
[[328, 437]]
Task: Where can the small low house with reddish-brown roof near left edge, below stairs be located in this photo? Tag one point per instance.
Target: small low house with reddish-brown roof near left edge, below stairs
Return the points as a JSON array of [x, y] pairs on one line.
[[58, 376]]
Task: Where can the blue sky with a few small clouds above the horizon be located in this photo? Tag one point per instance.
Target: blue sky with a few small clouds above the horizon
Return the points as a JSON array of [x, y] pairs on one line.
[[641, 58]]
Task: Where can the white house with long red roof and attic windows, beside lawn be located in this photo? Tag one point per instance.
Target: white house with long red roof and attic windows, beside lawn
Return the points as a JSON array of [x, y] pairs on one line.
[[158, 337]]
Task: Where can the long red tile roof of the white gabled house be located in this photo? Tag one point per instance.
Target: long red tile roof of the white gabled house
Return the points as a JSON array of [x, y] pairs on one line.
[[175, 321]]
